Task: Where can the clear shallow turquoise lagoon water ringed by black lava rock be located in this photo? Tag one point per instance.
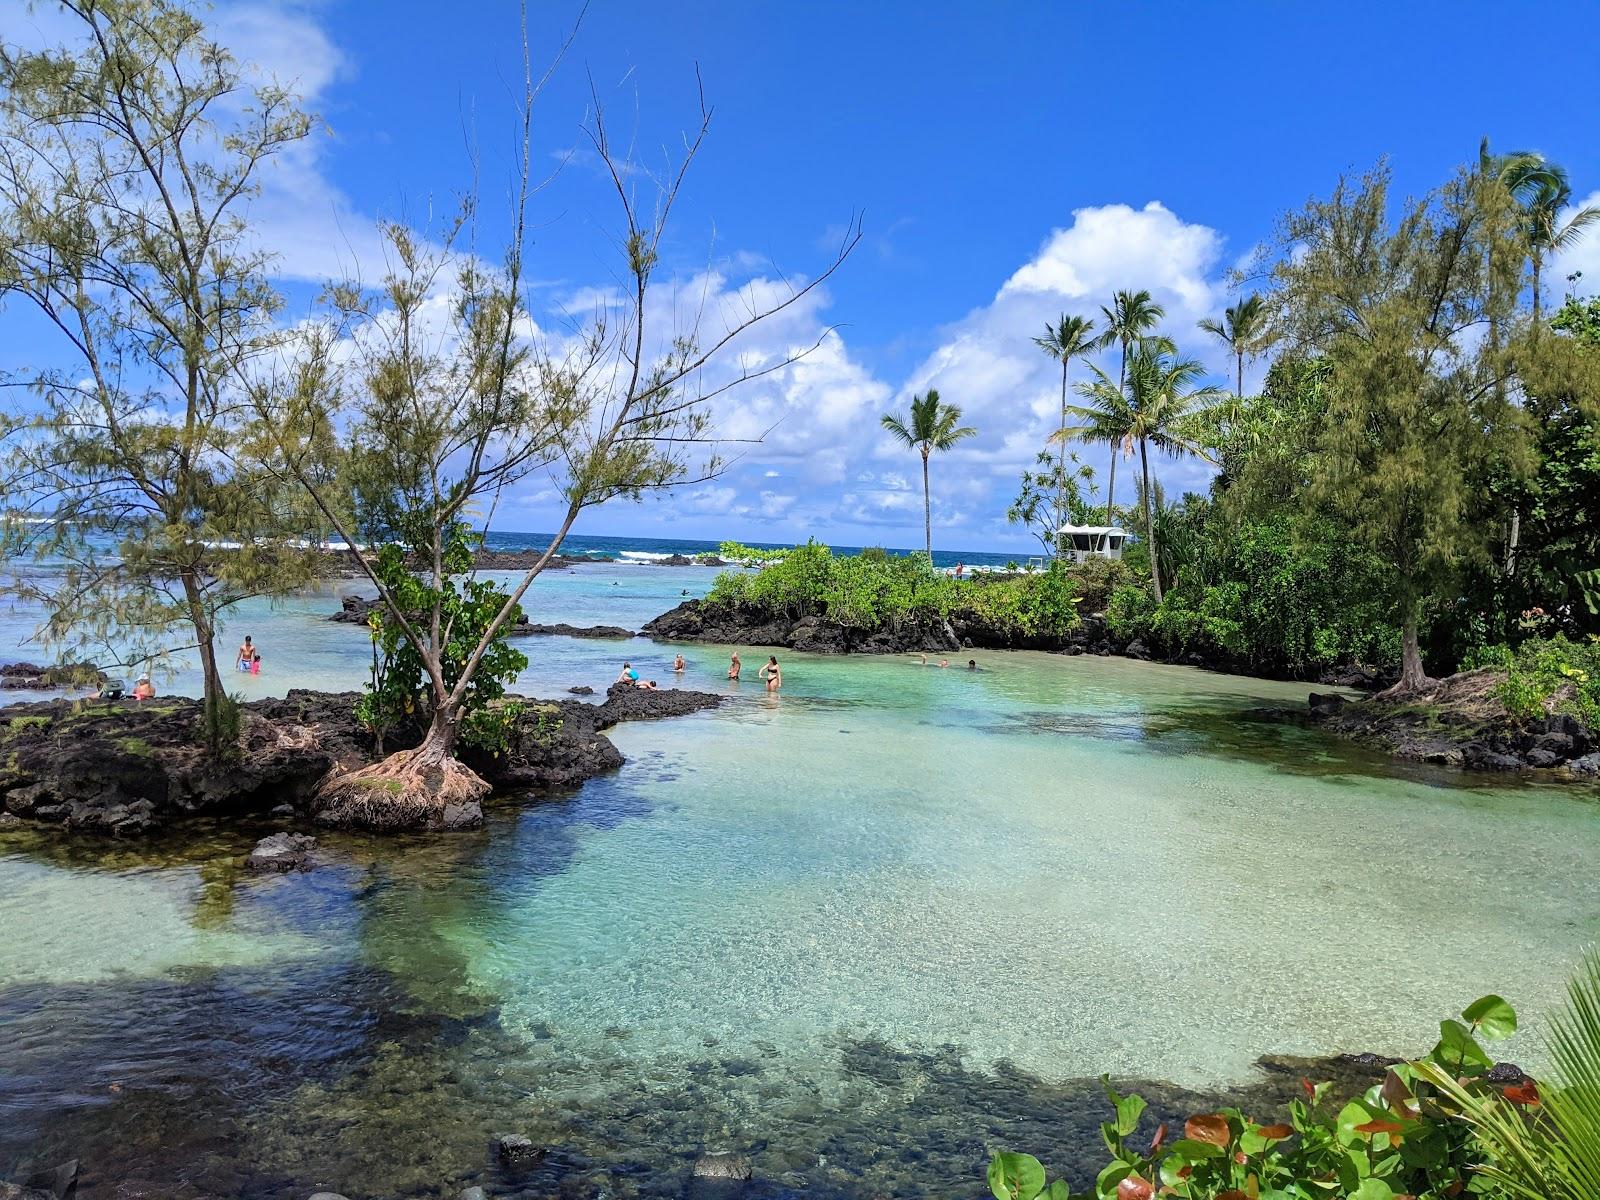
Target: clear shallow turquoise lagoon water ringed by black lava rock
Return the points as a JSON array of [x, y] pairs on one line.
[[868, 930]]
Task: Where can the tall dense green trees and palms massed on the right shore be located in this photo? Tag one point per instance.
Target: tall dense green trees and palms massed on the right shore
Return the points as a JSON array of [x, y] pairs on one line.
[[1418, 481]]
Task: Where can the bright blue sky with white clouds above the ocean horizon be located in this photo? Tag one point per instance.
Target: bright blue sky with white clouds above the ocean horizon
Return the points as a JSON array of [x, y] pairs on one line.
[[1012, 162]]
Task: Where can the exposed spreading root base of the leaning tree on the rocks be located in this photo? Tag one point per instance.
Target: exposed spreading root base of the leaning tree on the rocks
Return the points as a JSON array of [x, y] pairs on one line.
[[399, 796]]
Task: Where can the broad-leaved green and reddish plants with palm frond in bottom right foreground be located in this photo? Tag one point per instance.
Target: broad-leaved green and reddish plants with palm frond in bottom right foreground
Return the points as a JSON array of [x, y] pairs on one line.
[[1434, 1129]]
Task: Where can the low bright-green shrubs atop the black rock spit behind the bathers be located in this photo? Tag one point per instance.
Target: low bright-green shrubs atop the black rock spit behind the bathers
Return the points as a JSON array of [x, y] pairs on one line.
[[876, 590]]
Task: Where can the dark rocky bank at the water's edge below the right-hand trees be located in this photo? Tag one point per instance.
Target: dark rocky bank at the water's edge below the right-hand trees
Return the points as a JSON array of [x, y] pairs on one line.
[[1462, 724]]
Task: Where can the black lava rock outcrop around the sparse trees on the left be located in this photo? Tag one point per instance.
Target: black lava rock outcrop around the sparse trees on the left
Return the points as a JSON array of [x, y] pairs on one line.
[[126, 769]]
